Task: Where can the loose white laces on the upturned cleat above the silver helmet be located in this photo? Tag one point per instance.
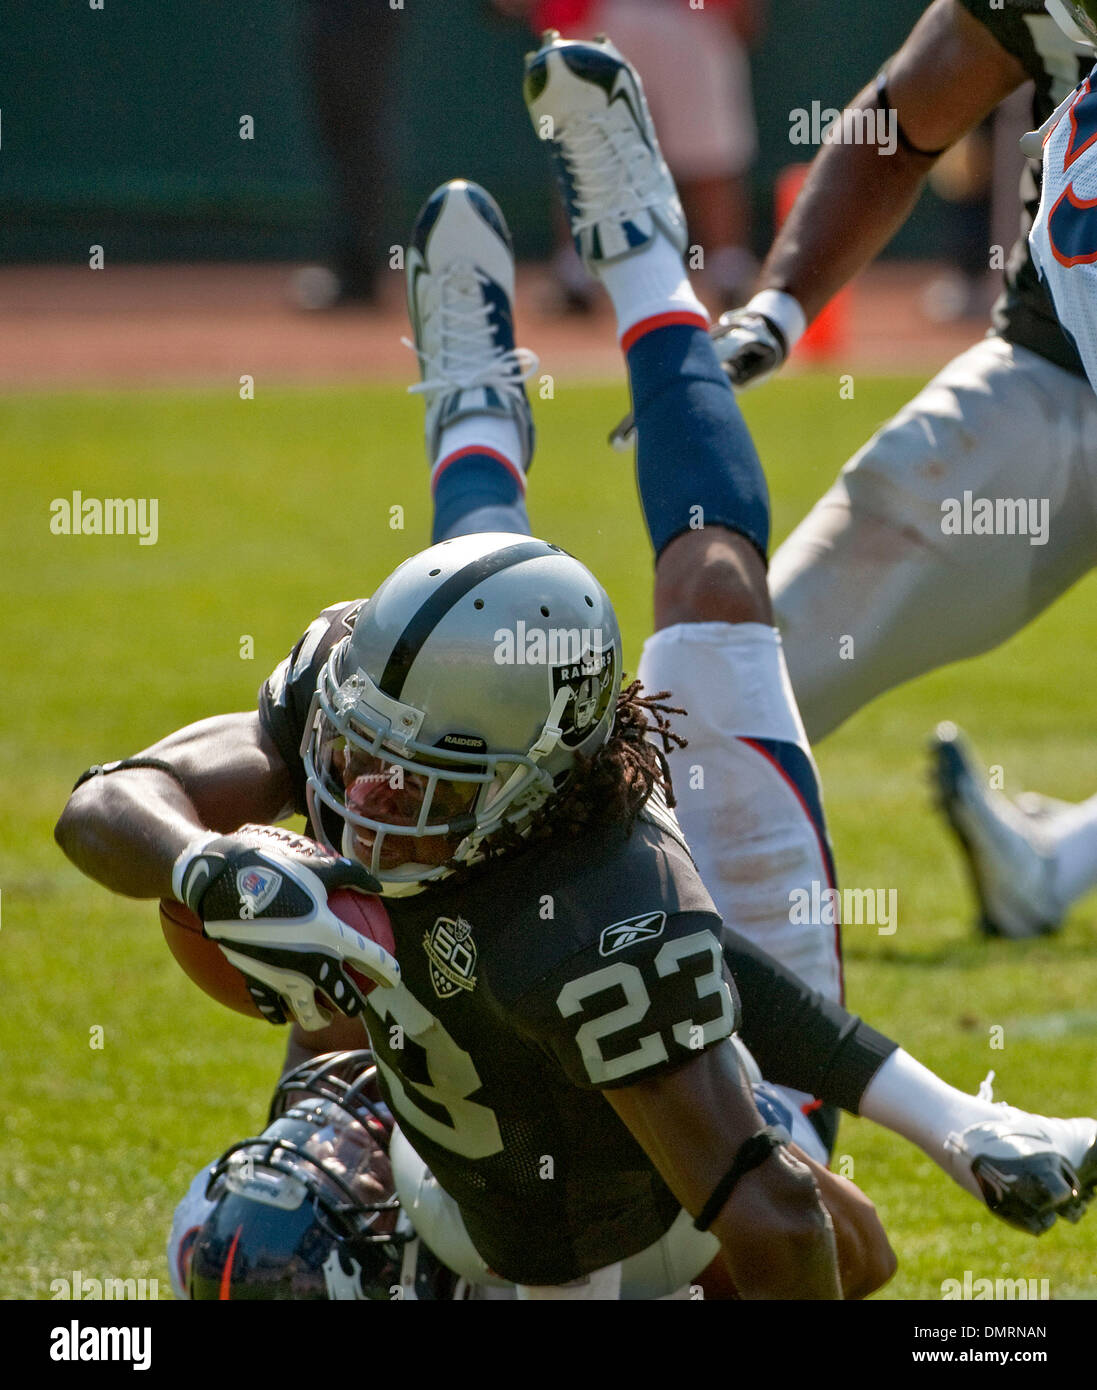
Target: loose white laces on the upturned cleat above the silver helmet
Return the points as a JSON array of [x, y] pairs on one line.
[[468, 357]]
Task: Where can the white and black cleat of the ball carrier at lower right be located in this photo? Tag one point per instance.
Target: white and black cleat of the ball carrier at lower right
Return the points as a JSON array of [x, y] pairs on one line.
[[1030, 1170]]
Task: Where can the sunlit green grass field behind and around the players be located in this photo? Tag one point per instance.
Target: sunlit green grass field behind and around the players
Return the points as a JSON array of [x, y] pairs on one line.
[[269, 511]]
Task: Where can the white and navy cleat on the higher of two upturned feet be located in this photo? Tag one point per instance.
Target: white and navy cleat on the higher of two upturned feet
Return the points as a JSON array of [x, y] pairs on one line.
[[587, 104]]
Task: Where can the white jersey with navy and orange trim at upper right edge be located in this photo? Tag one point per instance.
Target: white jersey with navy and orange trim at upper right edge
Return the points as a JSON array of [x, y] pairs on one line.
[[1064, 236]]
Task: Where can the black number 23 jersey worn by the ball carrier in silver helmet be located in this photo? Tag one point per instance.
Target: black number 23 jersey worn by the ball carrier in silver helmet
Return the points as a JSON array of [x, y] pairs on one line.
[[564, 971]]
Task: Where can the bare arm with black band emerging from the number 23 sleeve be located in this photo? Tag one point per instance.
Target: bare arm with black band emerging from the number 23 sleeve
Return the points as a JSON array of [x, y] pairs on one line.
[[775, 1234]]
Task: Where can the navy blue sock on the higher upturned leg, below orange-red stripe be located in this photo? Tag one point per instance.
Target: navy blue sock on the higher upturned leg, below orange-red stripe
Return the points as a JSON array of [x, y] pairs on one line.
[[697, 465]]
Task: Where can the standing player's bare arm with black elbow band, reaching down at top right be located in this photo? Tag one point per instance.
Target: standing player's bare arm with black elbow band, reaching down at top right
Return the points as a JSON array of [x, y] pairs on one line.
[[945, 80]]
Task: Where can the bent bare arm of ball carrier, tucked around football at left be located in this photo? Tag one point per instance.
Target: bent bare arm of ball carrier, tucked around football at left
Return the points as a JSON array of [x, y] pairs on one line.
[[127, 828]]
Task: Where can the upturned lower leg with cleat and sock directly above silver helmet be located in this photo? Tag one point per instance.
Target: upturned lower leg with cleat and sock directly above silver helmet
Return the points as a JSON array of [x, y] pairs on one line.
[[461, 293]]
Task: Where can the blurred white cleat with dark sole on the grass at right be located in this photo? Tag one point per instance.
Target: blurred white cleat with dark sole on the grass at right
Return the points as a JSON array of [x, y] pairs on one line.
[[1007, 849]]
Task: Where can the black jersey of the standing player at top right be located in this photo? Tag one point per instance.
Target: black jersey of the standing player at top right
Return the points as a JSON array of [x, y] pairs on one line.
[[1024, 313]]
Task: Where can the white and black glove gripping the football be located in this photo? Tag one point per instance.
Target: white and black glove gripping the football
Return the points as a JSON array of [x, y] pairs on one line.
[[268, 908]]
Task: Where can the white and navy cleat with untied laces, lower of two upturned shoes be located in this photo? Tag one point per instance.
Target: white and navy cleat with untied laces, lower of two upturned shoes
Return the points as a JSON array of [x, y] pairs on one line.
[[461, 295]]
